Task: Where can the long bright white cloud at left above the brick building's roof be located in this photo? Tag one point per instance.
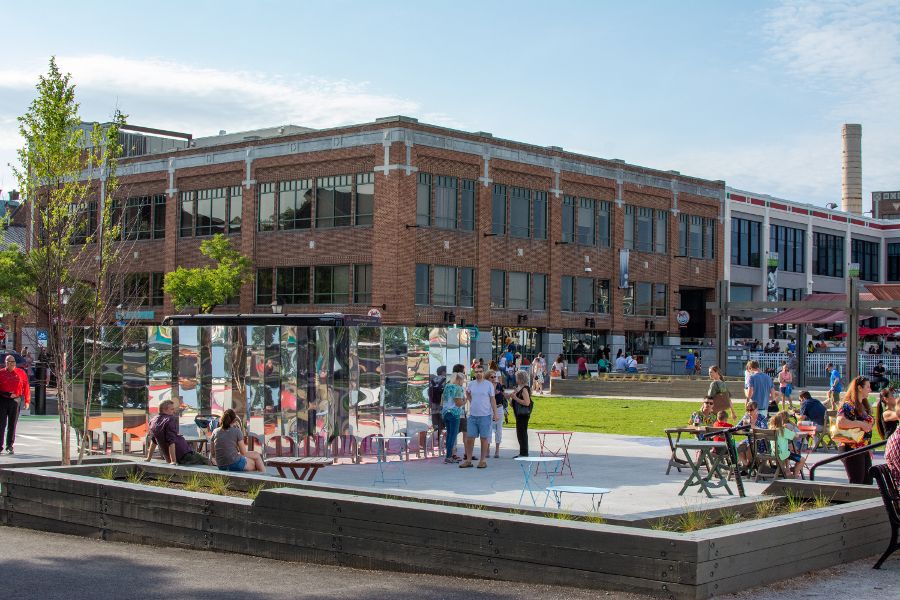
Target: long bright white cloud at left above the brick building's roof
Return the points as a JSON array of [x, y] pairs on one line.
[[200, 100]]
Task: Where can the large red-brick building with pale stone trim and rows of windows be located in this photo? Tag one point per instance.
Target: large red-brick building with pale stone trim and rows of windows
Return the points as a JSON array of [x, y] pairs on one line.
[[431, 226]]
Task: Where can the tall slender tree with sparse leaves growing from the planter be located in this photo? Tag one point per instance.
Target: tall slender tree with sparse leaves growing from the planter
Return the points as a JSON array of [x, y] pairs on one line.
[[64, 166]]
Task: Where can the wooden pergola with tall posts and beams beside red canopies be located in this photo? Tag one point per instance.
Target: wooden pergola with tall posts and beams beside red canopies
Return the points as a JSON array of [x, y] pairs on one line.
[[816, 308]]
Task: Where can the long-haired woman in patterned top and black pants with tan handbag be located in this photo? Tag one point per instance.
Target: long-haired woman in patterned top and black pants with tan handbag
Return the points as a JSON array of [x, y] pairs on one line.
[[853, 429]]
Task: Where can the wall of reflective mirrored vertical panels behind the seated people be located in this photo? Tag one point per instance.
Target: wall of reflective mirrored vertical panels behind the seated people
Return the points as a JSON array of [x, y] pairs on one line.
[[309, 383]]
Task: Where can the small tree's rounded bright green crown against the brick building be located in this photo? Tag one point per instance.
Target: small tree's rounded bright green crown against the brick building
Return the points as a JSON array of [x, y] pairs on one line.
[[209, 286]]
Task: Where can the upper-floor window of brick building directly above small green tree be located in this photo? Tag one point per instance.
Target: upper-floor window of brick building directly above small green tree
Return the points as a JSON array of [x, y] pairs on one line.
[[212, 211]]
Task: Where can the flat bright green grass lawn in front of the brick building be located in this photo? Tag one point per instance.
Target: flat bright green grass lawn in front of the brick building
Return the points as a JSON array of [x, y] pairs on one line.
[[600, 415]]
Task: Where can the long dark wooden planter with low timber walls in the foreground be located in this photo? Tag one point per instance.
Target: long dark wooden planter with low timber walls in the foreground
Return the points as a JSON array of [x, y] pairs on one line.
[[339, 526]]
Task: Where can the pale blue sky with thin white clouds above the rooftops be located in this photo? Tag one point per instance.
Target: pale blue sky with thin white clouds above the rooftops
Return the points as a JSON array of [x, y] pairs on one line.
[[753, 92]]
